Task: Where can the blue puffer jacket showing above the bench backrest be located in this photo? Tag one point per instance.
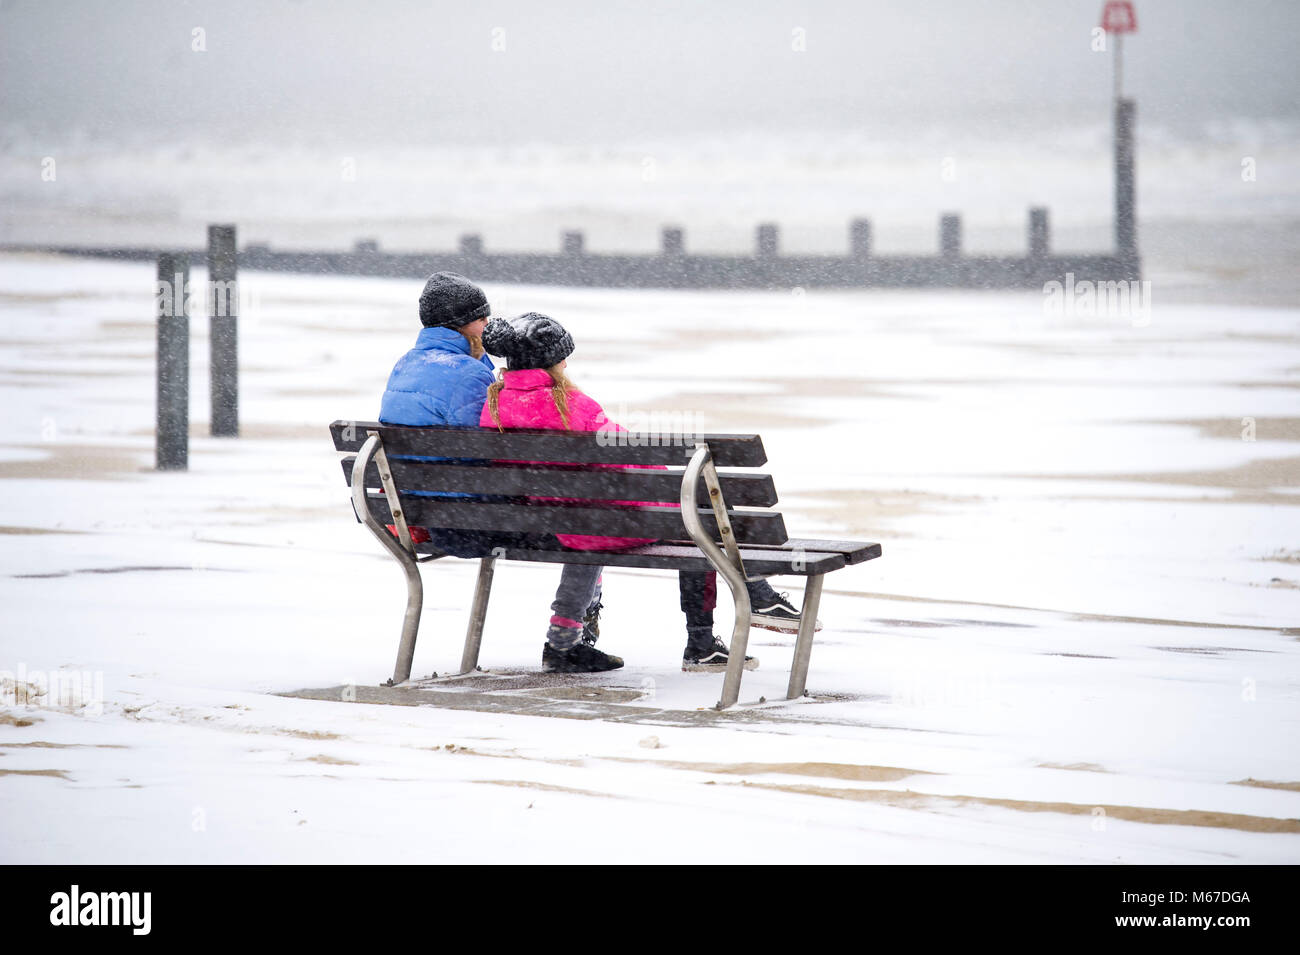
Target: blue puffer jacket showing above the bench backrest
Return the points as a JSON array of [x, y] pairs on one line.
[[437, 383]]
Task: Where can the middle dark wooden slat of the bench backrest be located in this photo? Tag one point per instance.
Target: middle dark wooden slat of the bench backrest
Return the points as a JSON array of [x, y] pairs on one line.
[[623, 484]]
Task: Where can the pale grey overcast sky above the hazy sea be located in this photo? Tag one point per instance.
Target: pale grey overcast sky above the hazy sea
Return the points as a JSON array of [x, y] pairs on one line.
[[311, 71]]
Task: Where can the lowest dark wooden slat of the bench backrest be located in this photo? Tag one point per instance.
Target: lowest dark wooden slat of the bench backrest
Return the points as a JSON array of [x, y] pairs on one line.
[[658, 523]]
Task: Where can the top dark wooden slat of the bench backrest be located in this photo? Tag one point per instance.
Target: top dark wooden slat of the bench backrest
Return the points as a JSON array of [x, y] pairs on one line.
[[566, 448]]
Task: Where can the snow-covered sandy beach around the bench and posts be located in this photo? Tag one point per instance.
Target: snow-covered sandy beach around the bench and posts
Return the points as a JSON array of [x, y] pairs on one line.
[[1080, 645]]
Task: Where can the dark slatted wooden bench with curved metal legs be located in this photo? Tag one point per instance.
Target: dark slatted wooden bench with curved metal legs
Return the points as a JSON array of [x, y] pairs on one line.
[[704, 519]]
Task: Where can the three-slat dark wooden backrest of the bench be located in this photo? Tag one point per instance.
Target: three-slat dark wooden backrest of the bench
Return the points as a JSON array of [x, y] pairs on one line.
[[486, 462]]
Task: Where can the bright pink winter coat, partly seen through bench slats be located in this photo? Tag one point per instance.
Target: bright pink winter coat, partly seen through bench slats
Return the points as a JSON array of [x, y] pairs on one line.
[[526, 402]]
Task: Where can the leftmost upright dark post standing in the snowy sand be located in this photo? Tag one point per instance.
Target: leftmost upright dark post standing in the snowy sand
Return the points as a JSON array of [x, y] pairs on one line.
[[172, 437]]
